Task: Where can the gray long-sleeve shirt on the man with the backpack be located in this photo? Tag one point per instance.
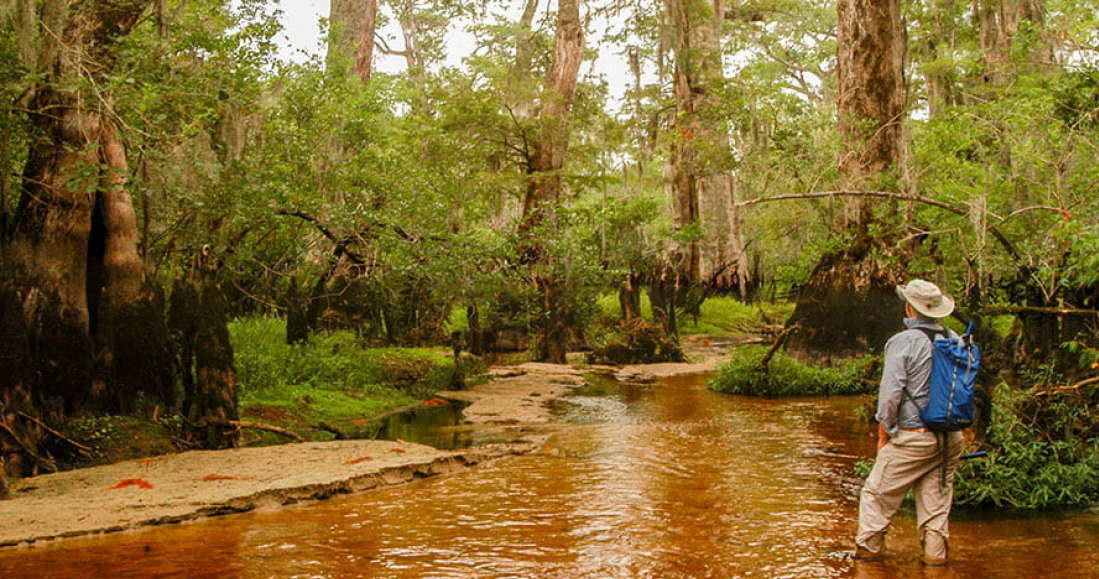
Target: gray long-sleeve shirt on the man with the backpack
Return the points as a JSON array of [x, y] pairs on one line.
[[907, 364]]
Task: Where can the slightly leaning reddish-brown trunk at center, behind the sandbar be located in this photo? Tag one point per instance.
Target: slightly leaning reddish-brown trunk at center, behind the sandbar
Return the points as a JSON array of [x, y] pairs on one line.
[[545, 187]]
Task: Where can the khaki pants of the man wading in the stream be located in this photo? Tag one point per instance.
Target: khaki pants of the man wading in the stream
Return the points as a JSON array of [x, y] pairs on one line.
[[912, 460]]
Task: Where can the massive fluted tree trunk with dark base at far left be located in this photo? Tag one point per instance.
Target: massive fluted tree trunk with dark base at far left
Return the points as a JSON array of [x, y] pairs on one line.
[[93, 324]]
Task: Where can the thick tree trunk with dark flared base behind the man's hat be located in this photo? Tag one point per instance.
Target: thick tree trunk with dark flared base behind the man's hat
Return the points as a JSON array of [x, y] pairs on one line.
[[849, 308]]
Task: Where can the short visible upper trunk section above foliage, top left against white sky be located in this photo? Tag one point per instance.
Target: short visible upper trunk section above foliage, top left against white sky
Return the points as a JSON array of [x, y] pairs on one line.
[[351, 37]]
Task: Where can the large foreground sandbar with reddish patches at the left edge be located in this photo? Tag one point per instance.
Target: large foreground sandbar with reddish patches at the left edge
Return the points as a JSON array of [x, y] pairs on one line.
[[199, 484]]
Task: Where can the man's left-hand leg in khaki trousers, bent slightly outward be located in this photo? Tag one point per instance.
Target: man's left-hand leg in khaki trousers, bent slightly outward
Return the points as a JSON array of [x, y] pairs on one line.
[[901, 464]]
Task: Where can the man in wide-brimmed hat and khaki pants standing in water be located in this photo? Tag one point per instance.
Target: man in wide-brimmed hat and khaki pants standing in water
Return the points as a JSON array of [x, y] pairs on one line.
[[909, 455]]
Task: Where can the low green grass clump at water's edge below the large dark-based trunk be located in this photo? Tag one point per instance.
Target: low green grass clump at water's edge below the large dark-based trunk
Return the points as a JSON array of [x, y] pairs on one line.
[[785, 376]]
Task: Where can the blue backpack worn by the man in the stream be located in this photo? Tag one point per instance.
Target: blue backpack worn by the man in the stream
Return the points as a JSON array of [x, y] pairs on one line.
[[954, 365]]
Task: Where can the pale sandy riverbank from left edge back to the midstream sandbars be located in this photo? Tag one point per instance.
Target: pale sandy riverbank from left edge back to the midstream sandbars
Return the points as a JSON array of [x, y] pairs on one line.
[[198, 484]]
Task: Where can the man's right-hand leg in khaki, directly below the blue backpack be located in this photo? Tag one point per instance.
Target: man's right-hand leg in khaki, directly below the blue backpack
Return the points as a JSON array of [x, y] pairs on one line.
[[934, 506]]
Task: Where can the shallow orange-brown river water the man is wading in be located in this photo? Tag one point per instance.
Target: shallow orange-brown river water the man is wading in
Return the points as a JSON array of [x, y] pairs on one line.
[[664, 481]]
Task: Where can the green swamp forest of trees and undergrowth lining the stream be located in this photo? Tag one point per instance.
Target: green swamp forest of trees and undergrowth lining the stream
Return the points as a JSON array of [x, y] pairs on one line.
[[201, 236]]
